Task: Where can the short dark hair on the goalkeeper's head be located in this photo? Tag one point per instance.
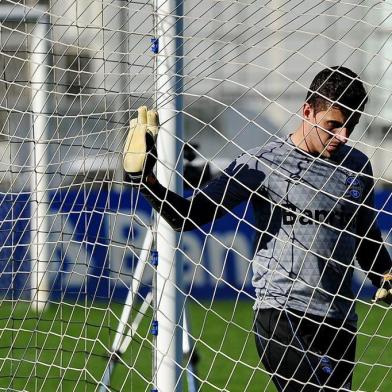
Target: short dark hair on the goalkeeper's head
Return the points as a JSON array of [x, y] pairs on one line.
[[338, 86]]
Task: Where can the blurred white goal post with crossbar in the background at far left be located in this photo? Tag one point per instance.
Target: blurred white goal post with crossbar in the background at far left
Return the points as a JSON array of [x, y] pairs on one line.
[[39, 60]]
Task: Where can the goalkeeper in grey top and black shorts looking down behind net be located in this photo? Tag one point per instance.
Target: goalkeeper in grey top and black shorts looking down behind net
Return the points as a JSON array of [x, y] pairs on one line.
[[312, 198]]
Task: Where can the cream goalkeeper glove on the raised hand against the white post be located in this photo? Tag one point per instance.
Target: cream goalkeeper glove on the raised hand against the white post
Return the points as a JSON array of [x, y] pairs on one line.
[[140, 153]]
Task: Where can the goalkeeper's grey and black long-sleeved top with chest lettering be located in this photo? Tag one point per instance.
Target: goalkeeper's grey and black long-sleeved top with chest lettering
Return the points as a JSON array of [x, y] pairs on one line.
[[314, 216]]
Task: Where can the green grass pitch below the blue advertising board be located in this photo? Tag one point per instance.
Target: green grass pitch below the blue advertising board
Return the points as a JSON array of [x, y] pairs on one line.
[[64, 349]]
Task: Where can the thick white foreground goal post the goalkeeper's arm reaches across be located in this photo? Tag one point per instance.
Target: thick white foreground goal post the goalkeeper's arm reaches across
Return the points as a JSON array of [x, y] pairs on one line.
[[169, 101]]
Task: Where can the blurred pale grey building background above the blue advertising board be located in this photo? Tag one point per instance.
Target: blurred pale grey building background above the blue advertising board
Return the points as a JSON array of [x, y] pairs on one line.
[[247, 66]]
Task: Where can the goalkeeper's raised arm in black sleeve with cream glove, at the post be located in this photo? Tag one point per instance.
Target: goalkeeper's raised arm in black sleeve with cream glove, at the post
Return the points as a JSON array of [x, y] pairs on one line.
[[220, 196]]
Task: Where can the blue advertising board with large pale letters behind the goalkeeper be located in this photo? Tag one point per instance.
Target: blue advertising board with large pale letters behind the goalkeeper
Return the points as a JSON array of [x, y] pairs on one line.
[[96, 236]]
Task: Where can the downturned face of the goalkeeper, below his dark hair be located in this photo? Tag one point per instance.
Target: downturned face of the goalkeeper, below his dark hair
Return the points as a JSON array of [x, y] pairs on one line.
[[327, 130]]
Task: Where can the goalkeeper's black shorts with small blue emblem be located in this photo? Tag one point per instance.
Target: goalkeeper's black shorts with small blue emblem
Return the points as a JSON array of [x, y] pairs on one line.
[[304, 354]]
